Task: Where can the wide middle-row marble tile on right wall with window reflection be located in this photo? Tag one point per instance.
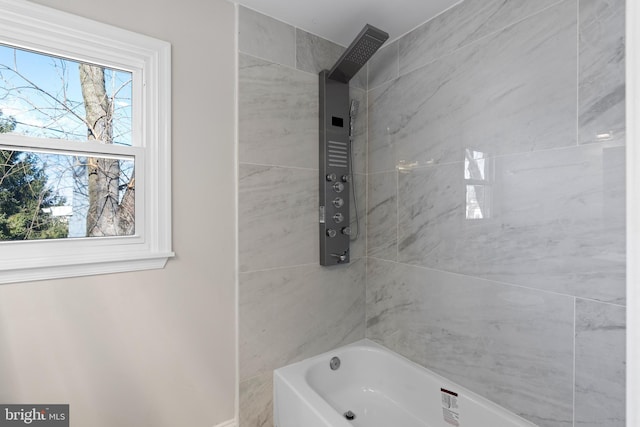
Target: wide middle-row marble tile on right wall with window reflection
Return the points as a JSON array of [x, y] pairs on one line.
[[551, 220]]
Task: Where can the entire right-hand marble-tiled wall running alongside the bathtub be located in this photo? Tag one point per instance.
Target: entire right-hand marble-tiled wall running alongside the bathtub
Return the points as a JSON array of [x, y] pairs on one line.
[[496, 225]]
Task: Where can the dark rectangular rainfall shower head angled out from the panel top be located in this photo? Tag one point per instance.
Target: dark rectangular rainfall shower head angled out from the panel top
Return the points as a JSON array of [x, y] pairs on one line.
[[358, 53]]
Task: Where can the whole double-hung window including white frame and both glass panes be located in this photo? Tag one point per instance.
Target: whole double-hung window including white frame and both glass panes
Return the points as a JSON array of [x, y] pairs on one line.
[[85, 171]]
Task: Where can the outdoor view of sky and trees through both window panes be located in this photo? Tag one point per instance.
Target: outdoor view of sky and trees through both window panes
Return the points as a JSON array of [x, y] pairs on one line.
[[52, 193]]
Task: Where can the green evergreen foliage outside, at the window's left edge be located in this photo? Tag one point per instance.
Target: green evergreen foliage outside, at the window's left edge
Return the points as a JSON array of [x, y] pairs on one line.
[[24, 197]]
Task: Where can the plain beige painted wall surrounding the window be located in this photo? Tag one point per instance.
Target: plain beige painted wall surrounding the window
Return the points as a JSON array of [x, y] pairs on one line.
[[152, 348]]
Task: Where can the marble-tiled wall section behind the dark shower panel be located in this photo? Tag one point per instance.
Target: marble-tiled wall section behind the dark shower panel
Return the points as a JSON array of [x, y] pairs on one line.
[[290, 308]]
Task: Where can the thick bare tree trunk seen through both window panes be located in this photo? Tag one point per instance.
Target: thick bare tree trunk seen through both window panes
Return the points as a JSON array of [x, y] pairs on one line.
[[107, 216]]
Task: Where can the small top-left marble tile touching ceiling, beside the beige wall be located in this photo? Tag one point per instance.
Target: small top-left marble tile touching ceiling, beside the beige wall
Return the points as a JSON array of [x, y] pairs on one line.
[[264, 37]]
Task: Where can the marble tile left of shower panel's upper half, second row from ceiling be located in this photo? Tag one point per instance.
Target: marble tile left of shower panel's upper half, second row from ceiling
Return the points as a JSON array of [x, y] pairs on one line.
[[277, 114]]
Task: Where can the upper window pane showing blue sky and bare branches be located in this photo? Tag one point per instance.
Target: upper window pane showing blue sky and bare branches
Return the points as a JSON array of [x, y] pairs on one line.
[[50, 97]]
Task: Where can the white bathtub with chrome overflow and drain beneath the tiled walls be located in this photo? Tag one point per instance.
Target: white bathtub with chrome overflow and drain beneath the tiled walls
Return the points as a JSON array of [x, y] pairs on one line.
[[382, 389]]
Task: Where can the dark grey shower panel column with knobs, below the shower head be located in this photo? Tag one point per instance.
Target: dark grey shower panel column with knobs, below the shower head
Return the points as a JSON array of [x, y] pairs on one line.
[[335, 172]]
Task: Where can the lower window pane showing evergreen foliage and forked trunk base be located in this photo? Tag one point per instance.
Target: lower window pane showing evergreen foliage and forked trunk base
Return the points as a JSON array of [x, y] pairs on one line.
[[56, 196]]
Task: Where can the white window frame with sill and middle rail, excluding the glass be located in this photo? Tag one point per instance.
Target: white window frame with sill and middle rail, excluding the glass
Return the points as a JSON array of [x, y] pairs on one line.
[[30, 26]]
